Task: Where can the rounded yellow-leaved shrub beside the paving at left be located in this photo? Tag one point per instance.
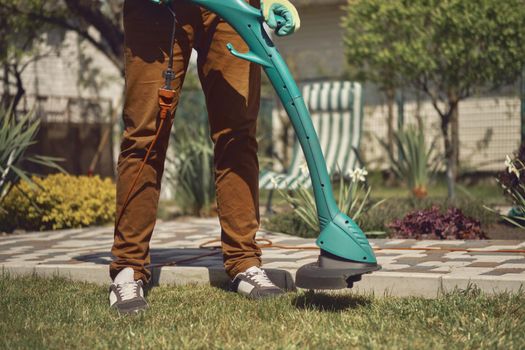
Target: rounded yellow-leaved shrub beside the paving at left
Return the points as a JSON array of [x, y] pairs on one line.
[[57, 202]]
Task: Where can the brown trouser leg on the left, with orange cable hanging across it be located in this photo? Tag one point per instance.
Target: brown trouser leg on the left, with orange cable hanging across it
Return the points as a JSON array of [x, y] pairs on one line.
[[147, 38]]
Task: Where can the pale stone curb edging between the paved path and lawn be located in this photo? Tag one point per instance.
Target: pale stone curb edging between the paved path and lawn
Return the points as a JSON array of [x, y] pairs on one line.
[[381, 283]]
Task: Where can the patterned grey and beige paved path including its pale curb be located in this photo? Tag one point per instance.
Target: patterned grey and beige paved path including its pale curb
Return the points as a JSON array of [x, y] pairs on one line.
[[83, 254]]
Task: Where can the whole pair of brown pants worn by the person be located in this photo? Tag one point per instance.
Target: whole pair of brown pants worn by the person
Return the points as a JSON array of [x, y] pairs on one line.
[[232, 90]]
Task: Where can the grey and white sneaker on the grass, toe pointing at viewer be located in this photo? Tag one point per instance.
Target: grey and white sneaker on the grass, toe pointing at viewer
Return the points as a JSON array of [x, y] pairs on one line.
[[126, 294]]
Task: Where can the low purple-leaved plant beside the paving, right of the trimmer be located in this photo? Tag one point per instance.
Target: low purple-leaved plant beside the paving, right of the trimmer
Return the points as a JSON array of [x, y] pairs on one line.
[[433, 224]]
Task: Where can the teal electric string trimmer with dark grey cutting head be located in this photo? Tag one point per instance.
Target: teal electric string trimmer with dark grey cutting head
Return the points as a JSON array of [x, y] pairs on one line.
[[345, 251]]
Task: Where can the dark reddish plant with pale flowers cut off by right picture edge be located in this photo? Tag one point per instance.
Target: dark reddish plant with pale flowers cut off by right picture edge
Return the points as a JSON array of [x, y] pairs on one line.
[[512, 181]]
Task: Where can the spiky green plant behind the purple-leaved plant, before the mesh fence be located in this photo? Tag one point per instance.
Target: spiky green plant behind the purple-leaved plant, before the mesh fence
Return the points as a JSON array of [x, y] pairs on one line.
[[416, 163]]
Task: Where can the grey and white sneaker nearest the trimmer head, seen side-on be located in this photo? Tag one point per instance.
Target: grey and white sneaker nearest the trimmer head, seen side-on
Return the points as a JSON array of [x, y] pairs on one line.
[[255, 284]]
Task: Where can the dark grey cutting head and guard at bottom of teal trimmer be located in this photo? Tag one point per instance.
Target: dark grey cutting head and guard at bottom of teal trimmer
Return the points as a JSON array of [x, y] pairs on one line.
[[332, 272]]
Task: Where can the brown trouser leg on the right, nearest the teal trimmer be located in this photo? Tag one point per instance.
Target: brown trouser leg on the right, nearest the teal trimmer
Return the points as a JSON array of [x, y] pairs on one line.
[[232, 89]]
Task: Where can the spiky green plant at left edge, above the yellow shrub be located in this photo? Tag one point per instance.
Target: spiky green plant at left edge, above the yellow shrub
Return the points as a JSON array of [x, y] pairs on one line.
[[16, 135]]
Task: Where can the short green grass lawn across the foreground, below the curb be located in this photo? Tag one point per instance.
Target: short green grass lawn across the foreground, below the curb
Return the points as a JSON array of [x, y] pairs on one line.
[[56, 313]]
